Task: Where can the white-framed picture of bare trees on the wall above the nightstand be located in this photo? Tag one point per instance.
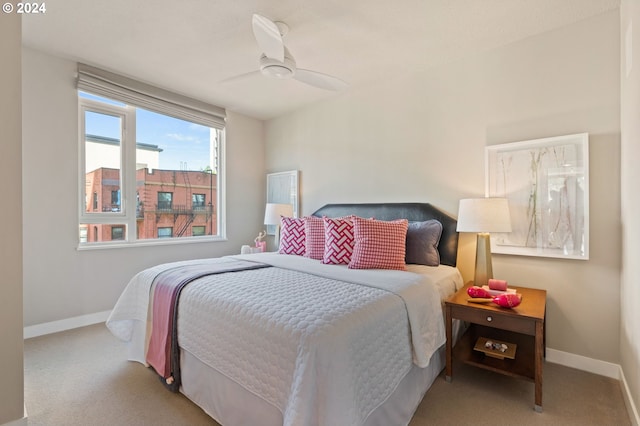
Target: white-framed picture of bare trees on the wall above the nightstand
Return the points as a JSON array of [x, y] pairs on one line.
[[546, 182]]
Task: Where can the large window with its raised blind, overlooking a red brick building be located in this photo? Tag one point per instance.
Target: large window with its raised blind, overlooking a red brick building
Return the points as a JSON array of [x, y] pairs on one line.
[[151, 162]]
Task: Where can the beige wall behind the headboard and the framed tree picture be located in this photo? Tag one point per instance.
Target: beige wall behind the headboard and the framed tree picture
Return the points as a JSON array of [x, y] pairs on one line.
[[421, 137]]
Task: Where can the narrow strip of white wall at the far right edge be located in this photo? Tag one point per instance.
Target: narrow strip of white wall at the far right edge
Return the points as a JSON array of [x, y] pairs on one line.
[[630, 176]]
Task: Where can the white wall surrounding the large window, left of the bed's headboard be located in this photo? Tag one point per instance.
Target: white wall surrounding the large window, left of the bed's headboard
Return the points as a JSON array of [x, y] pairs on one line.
[[61, 282]]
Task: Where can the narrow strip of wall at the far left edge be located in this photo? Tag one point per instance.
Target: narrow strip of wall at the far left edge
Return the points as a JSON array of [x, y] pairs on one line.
[[11, 348]]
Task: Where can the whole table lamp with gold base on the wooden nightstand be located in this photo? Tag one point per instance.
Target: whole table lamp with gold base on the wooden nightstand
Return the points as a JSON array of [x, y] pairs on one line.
[[483, 215]]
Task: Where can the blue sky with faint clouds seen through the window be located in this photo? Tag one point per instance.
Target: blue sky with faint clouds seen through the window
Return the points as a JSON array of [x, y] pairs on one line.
[[182, 142]]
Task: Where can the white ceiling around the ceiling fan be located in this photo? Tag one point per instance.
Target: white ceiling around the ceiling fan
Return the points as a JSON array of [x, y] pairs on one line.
[[191, 46]]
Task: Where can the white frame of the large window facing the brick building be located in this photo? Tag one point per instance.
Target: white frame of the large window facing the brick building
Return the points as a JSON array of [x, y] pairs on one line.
[[127, 213]]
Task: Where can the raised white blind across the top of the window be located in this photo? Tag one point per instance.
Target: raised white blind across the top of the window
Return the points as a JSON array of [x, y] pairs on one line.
[[132, 92]]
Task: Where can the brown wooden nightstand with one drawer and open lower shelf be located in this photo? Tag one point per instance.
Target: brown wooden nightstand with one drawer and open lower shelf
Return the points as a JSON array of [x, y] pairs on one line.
[[523, 326]]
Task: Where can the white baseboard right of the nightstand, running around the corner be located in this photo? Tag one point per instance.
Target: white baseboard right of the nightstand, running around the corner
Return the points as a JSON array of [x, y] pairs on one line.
[[602, 368]]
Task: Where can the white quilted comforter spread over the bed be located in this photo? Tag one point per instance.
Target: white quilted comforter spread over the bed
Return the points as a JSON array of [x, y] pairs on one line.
[[323, 344]]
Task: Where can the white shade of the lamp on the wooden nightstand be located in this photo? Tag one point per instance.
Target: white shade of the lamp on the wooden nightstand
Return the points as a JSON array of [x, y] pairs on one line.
[[484, 215]]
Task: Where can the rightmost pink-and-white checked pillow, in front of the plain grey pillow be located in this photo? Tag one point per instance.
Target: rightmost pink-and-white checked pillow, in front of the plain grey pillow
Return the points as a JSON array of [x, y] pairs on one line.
[[379, 244]]
